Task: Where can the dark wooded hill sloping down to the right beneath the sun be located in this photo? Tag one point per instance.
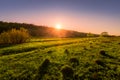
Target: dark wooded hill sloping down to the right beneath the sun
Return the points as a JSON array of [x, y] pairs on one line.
[[41, 31]]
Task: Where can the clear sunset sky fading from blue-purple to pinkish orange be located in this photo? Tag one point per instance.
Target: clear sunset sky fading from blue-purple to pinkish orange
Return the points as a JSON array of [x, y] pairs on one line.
[[93, 16]]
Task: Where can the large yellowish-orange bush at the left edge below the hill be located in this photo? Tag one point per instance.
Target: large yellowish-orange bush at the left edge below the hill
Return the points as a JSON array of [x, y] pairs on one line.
[[14, 36]]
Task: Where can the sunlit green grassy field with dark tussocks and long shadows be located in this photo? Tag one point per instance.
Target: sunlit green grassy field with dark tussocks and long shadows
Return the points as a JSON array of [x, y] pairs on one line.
[[61, 59]]
